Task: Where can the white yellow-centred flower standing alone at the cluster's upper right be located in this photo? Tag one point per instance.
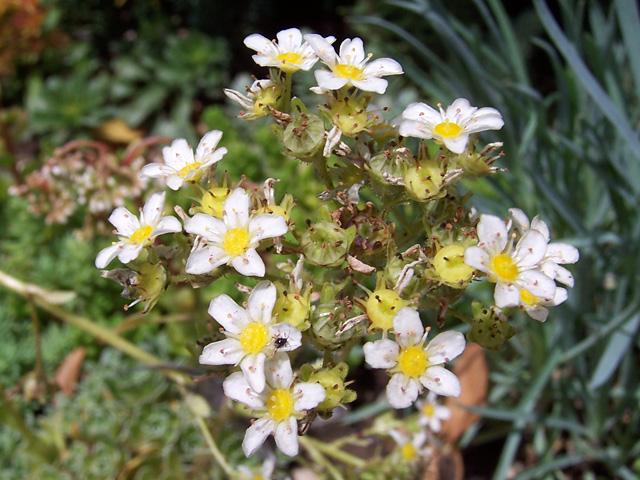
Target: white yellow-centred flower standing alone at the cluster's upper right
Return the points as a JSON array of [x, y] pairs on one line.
[[453, 126]]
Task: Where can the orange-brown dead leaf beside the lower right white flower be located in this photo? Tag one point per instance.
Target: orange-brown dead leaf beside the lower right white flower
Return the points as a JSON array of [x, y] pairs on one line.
[[471, 368]]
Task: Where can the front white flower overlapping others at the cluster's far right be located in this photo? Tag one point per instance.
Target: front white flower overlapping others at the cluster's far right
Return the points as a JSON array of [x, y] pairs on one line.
[[511, 268]]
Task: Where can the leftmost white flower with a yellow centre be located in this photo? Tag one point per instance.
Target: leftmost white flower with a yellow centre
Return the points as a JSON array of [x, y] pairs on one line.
[[136, 233]]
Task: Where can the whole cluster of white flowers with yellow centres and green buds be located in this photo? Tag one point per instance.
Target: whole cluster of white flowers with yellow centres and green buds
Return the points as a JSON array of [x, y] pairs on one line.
[[379, 273]]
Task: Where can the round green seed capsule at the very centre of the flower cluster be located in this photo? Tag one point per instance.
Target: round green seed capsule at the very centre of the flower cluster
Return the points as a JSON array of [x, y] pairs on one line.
[[326, 244]]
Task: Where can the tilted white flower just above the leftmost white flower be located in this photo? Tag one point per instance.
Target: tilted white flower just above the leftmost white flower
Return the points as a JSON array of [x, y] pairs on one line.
[[180, 164]]
